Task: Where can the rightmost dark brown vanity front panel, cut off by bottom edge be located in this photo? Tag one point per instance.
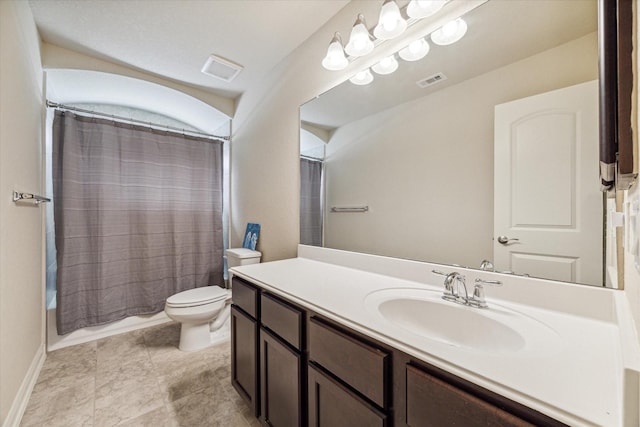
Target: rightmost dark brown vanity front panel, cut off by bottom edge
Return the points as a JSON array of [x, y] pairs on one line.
[[433, 402]]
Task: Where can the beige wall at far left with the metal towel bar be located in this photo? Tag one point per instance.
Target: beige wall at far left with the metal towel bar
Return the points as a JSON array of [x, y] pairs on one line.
[[21, 283]]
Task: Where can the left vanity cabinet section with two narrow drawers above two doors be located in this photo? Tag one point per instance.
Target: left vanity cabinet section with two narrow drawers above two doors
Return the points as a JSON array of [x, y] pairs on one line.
[[268, 355]]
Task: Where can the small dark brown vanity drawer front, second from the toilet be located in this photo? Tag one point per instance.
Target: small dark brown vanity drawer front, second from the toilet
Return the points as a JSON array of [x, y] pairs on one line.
[[282, 318]]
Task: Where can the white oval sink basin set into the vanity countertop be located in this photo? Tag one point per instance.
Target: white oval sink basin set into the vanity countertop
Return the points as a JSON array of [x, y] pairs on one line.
[[424, 314]]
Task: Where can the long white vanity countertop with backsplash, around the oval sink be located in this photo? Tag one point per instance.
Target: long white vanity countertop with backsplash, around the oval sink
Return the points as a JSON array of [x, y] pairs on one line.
[[586, 376]]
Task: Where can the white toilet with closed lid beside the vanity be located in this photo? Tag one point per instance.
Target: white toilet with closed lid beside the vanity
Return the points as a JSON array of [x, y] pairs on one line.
[[204, 312]]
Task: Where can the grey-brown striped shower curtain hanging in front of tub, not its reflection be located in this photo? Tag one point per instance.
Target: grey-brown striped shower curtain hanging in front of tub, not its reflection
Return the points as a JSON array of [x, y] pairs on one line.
[[138, 217]]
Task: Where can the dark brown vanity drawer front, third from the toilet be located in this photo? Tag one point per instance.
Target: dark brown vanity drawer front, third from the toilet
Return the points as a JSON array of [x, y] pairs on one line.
[[361, 365]]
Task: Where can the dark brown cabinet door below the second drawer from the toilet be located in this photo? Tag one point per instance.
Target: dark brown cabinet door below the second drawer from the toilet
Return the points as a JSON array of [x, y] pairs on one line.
[[281, 381]]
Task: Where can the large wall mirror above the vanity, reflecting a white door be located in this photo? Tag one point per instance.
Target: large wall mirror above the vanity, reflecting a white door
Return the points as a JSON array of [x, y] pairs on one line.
[[486, 149]]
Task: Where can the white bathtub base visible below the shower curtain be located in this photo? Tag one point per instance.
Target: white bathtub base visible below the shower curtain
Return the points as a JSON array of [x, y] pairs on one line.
[[55, 341]]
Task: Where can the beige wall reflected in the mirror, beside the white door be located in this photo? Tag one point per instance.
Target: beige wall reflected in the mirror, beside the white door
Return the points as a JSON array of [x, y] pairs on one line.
[[433, 172]]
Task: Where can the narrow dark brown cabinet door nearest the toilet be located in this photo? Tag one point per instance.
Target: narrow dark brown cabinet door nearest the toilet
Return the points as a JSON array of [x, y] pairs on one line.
[[244, 357]]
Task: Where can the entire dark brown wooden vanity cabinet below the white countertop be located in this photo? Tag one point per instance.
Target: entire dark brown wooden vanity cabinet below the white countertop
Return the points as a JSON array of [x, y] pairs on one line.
[[296, 368]]
